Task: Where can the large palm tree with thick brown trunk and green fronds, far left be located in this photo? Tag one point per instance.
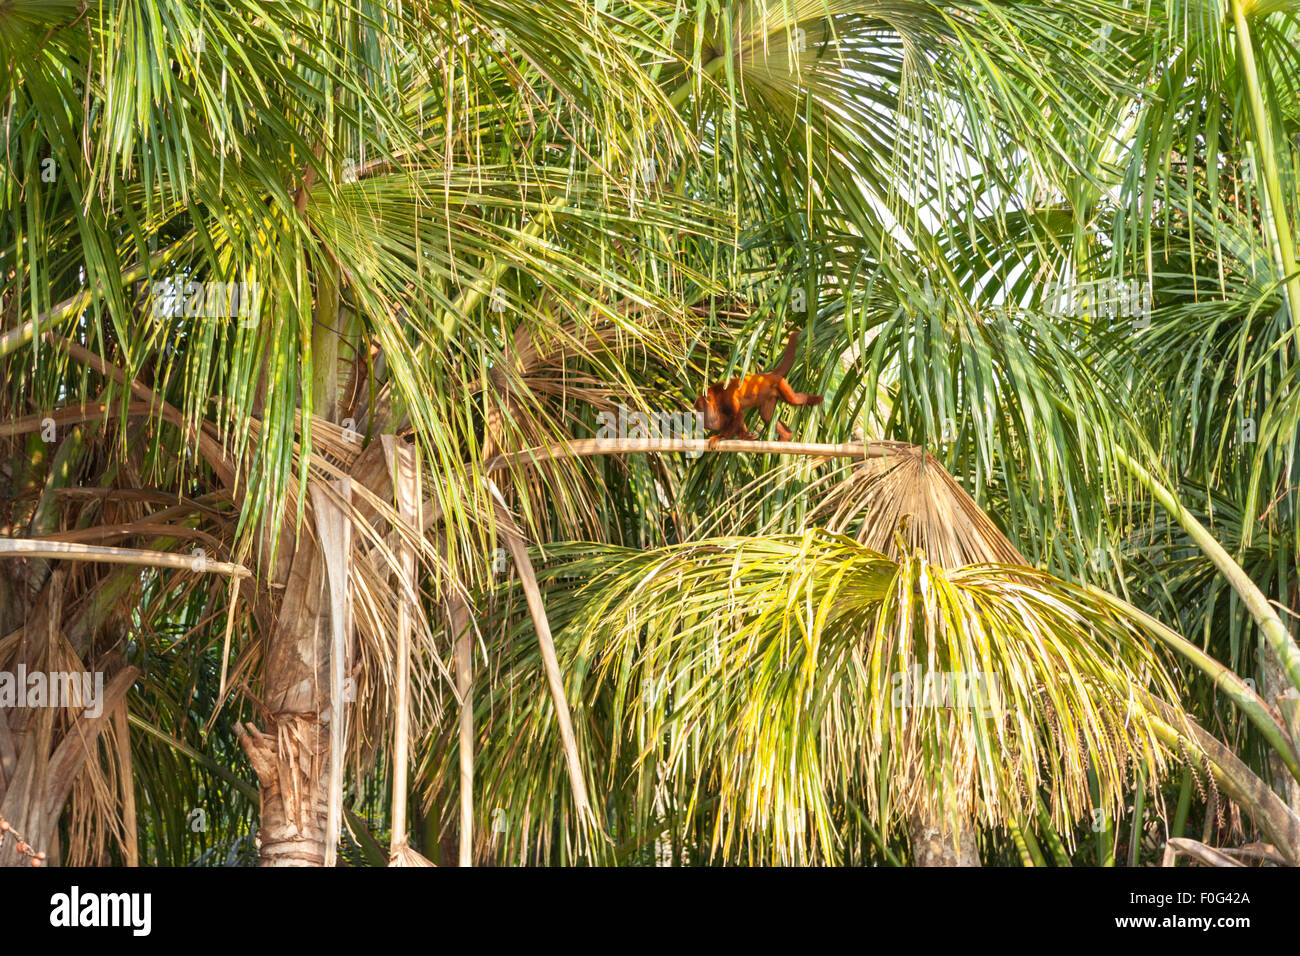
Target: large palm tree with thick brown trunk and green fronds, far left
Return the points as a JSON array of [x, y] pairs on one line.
[[317, 159]]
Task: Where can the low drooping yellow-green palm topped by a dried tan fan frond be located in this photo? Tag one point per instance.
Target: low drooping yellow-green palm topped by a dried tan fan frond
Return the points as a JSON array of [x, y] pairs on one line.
[[790, 698]]
